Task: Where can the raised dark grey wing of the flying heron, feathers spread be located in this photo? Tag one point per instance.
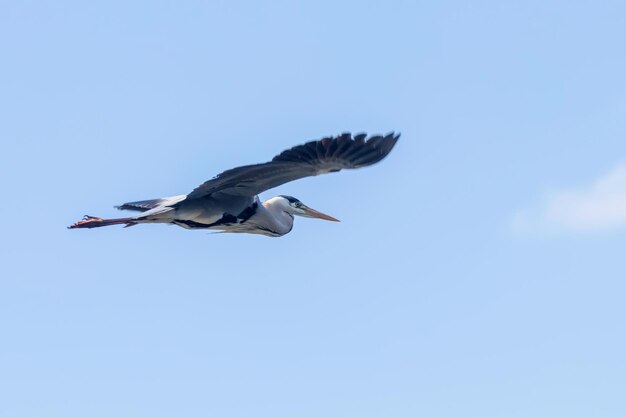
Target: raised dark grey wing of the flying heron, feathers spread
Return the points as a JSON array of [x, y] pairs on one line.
[[313, 158]]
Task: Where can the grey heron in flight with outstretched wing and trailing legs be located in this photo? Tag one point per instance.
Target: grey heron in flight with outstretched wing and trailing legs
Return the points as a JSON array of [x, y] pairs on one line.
[[230, 202]]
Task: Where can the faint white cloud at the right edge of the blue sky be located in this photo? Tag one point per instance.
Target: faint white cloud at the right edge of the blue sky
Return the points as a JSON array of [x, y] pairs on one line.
[[598, 207]]
